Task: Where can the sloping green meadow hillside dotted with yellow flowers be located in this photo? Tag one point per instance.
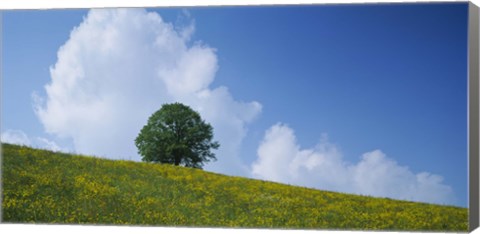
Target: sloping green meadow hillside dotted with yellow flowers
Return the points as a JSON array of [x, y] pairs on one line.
[[45, 187]]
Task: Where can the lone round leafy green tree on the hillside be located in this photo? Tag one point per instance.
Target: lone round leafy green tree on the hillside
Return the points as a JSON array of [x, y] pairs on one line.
[[177, 135]]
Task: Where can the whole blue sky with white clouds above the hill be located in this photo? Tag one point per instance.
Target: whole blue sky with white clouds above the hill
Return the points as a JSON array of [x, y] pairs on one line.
[[368, 99]]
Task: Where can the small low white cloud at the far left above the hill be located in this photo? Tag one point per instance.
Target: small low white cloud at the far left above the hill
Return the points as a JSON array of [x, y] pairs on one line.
[[19, 137]]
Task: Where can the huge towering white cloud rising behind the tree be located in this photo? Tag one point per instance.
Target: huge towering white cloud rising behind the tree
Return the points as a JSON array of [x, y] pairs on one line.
[[118, 67]]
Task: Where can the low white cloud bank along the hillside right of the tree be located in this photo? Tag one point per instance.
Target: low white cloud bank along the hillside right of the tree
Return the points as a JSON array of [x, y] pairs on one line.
[[281, 159]]
